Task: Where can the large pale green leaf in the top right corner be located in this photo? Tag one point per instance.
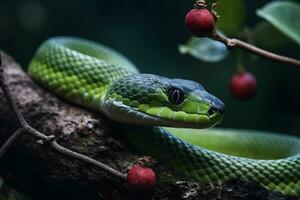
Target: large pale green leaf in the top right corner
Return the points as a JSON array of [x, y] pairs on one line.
[[285, 16]]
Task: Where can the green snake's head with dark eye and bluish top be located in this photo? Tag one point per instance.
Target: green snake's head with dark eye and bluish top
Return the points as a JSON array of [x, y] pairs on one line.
[[146, 99]]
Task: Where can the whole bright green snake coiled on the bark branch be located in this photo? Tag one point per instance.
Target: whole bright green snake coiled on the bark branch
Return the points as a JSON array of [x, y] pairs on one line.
[[96, 77]]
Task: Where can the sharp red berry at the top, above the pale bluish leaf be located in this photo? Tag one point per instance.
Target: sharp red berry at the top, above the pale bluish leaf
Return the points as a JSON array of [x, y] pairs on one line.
[[200, 22]]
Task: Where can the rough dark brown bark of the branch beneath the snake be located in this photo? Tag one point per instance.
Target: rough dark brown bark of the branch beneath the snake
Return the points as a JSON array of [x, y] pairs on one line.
[[42, 173]]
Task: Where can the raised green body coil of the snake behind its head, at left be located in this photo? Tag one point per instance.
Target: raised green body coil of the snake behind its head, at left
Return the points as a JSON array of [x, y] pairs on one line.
[[79, 71]]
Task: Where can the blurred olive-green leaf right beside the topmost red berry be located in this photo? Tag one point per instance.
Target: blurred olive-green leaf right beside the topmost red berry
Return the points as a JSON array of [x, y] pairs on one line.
[[232, 16]]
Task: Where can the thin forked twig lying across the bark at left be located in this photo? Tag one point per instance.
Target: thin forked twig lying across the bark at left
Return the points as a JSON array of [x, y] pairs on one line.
[[44, 138]]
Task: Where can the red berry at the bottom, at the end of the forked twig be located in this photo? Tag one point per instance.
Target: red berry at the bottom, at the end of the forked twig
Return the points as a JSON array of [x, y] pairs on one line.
[[141, 180]]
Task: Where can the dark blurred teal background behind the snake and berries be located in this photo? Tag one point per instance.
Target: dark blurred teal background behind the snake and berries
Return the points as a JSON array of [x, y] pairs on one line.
[[148, 32]]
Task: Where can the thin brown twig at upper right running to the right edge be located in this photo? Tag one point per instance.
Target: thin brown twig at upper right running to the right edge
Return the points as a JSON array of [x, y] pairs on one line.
[[232, 43]]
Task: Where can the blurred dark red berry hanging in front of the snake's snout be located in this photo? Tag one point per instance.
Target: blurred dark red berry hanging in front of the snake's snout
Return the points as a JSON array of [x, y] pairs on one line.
[[243, 85]]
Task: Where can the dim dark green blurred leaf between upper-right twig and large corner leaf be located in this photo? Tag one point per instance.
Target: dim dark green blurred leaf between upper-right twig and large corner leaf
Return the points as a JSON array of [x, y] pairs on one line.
[[261, 36]]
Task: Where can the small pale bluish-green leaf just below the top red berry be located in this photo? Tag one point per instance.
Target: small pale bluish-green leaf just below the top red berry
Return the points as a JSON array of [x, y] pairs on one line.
[[204, 49]]
